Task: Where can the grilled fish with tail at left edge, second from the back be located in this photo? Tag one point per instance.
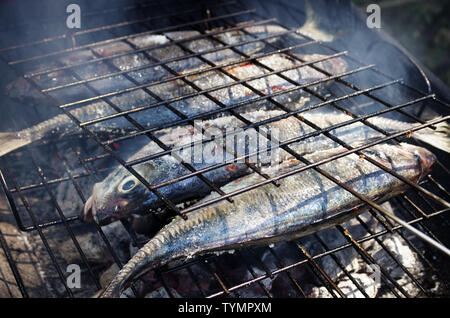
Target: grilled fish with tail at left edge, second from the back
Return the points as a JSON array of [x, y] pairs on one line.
[[168, 89]]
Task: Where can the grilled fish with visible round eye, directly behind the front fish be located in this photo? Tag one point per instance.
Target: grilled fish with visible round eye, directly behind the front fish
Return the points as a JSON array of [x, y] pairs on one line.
[[110, 201]]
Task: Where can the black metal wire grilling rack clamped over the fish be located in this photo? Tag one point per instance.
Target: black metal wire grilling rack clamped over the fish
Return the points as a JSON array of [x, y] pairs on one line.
[[308, 260]]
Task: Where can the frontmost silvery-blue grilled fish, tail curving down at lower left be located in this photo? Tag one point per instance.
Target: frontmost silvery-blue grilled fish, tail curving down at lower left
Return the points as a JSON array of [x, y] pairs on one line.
[[304, 201]]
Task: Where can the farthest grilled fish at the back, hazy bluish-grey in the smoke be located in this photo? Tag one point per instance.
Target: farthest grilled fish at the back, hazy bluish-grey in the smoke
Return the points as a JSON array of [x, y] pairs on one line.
[[138, 64]]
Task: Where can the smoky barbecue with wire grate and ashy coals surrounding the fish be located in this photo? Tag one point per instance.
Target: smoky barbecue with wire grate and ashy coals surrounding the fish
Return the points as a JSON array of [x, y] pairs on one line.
[[44, 185]]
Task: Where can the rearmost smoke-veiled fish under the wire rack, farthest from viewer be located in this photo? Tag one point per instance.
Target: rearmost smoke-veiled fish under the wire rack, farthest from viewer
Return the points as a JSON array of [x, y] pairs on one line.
[[24, 92]]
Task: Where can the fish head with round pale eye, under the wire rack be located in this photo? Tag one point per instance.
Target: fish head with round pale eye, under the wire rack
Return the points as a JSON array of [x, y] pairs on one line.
[[118, 196]]
